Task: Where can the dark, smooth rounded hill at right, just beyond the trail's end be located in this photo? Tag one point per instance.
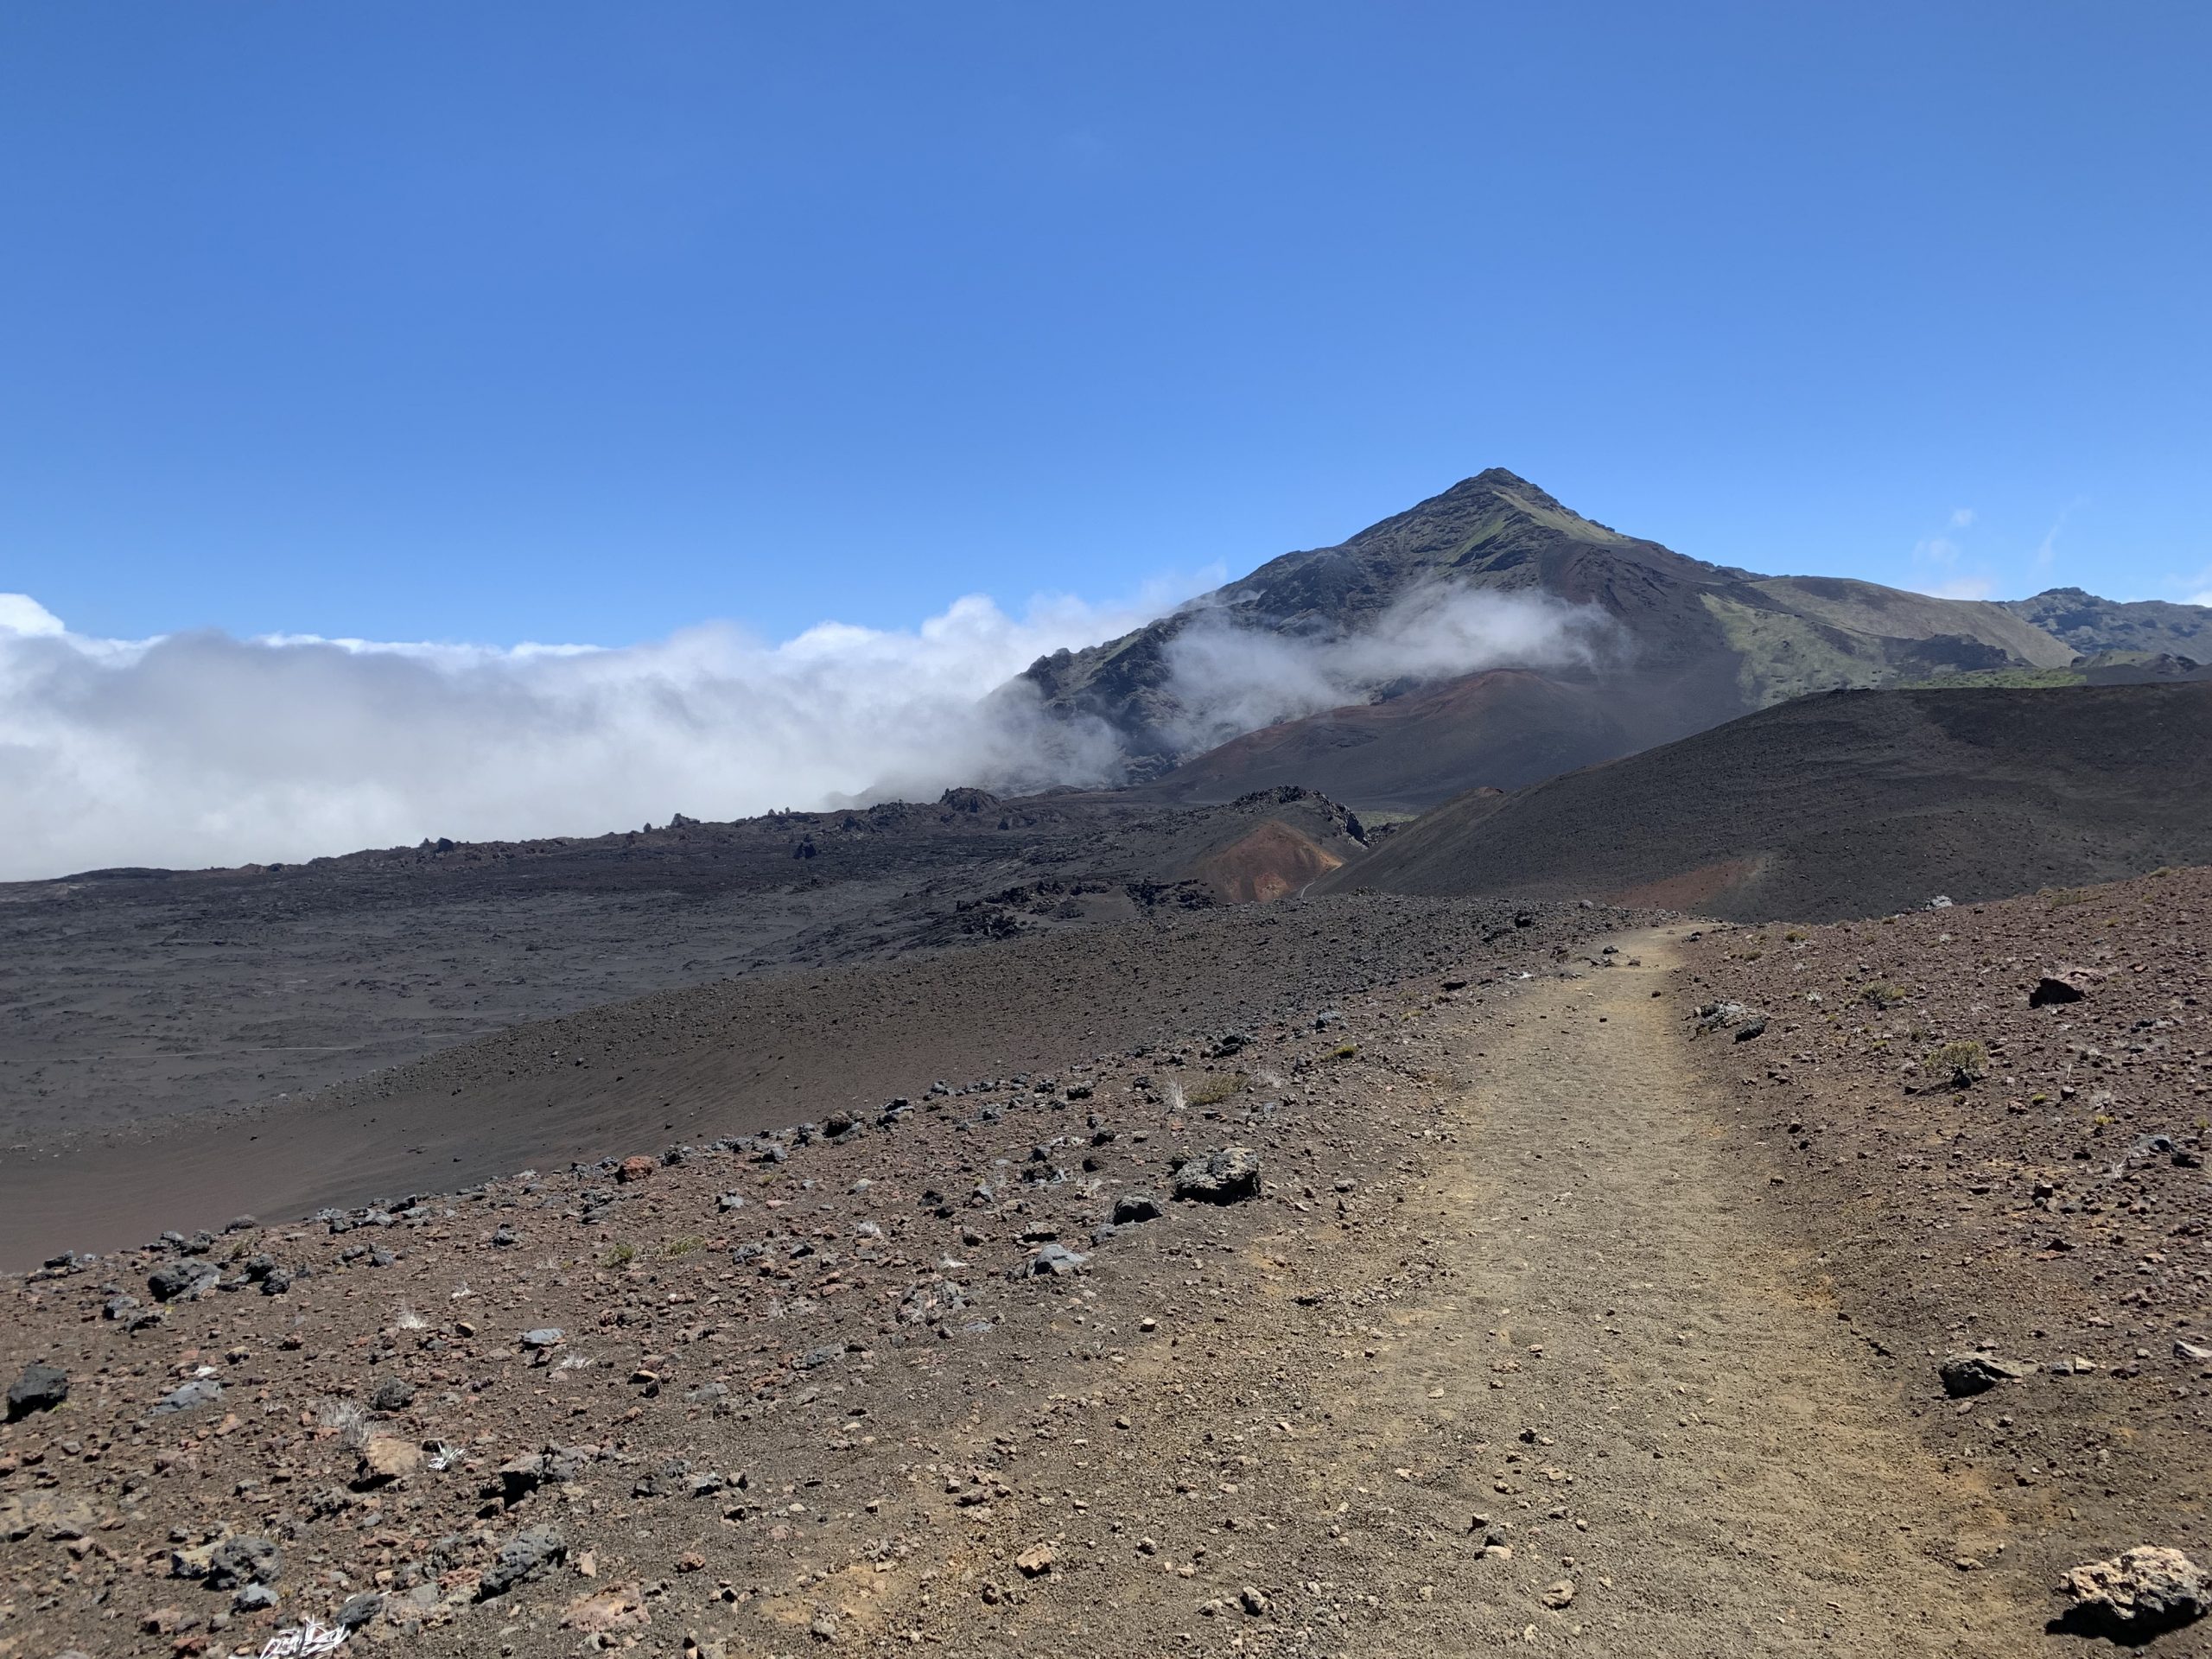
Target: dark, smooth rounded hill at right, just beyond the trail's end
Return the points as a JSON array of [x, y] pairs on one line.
[[1841, 806]]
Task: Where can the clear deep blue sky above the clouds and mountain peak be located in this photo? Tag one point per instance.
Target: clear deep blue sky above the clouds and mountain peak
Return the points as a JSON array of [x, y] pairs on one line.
[[587, 322]]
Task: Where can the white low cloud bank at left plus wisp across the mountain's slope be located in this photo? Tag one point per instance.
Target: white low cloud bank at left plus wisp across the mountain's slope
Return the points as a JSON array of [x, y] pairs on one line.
[[202, 749]]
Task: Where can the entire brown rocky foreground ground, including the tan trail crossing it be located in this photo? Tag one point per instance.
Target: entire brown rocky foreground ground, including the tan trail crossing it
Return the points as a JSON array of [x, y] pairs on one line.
[[1505, 1302]]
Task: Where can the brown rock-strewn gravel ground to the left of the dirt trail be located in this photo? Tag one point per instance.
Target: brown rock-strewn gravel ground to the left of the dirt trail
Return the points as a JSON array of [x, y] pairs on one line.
[[890, 1375]]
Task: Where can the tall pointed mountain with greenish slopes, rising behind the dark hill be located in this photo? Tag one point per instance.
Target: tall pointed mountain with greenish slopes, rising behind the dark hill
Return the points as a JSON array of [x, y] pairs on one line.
[[1673, 647]]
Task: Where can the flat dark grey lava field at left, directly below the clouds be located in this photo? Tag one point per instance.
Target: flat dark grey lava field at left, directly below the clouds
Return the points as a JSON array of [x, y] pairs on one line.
[[140, 994]]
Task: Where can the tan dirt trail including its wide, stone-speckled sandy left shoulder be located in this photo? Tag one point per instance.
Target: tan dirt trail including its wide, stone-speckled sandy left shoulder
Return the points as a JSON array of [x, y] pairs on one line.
[[1543, 1381]]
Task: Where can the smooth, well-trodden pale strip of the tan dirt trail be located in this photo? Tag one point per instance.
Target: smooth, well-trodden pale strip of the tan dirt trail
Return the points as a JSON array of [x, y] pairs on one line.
[[1629, 1344]]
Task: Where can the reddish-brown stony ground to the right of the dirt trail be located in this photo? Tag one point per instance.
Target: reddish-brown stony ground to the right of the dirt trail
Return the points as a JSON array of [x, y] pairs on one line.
[[1990, 1127]]
